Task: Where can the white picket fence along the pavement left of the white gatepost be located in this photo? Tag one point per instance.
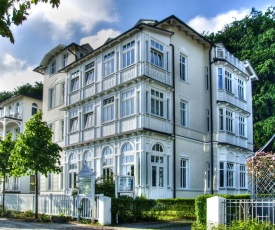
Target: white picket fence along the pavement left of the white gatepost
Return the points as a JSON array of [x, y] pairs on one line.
[[77, 206]]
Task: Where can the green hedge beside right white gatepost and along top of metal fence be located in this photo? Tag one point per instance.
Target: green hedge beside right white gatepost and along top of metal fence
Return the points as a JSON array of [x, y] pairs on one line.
[[200, 204]]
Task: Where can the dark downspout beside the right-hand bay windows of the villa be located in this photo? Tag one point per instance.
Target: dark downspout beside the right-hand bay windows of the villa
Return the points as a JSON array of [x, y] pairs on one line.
[[211, 125]]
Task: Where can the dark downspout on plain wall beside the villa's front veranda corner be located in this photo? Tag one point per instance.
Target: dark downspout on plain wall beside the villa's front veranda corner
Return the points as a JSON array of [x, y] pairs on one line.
[[174, 123]]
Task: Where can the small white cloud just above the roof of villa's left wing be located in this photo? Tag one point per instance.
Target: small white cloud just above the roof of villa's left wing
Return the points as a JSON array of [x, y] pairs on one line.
[[97, 40]]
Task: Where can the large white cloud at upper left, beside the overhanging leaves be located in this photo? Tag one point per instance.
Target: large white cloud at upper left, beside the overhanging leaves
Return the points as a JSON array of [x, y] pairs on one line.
[[85, 15]]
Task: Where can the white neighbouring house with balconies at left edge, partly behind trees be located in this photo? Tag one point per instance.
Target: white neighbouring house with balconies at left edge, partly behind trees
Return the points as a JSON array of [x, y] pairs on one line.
[[14, 113]]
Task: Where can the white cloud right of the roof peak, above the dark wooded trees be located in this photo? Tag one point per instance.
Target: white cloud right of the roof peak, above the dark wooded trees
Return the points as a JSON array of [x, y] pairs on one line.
[[215, 24]]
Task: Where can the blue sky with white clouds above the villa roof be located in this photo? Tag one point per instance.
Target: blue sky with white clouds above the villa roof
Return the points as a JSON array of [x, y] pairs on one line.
[[94, 21]]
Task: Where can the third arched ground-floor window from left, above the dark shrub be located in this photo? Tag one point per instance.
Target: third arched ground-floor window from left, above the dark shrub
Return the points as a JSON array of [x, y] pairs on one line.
[[108, 162]]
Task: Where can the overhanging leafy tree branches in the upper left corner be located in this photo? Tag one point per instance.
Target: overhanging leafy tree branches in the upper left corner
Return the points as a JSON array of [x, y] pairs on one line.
[[15, 12]]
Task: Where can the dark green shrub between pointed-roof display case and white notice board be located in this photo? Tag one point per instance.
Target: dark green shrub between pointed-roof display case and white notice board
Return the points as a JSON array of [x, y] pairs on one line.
[[105, 186]]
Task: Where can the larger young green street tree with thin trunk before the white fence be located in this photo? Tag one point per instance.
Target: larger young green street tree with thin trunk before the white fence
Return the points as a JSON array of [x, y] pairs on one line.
[[34, 152]]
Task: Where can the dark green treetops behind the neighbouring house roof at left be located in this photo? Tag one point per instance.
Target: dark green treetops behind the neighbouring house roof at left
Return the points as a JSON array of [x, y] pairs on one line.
[[35, 90]]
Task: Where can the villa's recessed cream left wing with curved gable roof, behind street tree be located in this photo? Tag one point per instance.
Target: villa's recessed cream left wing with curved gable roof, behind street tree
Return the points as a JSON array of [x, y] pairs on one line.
[[54, 100]]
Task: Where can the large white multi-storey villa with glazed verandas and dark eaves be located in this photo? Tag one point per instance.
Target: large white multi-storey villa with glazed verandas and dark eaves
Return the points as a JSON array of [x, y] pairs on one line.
[[161, 103]]
